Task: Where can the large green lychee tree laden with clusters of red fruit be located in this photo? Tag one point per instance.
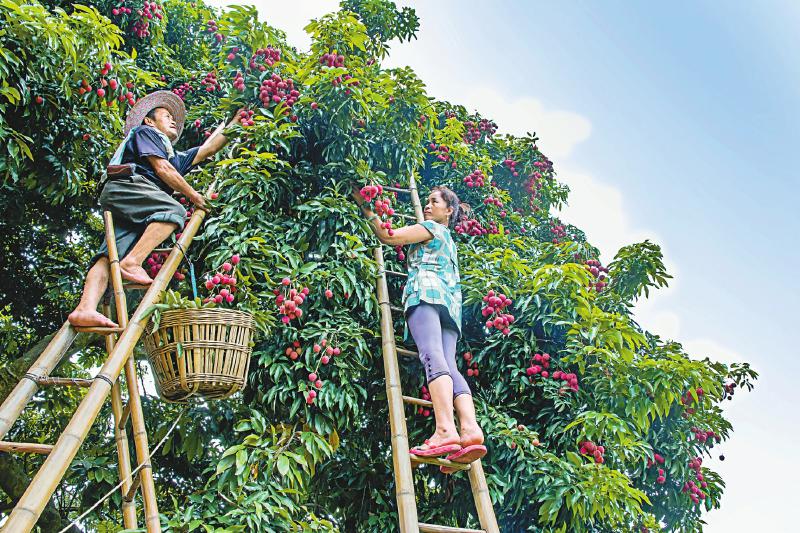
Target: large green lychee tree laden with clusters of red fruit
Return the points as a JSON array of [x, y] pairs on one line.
[[593, 423]]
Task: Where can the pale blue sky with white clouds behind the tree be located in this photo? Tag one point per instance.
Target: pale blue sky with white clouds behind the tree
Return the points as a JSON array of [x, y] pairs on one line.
[[676, 122]]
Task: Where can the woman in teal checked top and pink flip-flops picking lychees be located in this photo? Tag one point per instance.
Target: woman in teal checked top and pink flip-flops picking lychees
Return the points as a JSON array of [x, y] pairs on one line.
[[432, 303]]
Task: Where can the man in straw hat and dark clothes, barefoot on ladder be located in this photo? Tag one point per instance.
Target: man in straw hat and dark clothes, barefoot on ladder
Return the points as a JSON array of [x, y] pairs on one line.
[[144, 211]]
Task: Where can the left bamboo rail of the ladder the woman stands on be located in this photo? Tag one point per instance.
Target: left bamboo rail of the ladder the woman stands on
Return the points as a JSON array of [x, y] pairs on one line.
[[404, 481]]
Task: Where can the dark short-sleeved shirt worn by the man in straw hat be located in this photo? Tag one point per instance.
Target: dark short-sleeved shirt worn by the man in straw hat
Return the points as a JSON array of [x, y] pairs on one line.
[[144, 142]]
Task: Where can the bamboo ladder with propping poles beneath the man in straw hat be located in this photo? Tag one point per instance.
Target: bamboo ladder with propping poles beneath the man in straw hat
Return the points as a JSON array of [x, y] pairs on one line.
[[120, 343]]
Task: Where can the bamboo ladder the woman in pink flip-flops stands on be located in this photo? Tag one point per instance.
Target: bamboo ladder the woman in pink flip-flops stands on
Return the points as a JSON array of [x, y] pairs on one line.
[[402, 459]]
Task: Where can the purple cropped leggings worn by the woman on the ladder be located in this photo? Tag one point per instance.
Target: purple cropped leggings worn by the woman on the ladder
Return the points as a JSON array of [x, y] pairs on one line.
[[436, 346]]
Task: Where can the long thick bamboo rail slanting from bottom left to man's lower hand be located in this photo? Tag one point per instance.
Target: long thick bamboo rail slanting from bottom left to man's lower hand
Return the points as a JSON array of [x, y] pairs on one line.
[[30, 506]]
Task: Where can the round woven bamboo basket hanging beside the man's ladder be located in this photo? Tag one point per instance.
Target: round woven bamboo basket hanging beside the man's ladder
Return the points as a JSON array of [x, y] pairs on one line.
[[214, 354]]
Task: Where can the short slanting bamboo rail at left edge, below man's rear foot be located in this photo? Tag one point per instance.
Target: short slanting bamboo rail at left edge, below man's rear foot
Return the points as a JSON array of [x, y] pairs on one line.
[[16, 401]]
